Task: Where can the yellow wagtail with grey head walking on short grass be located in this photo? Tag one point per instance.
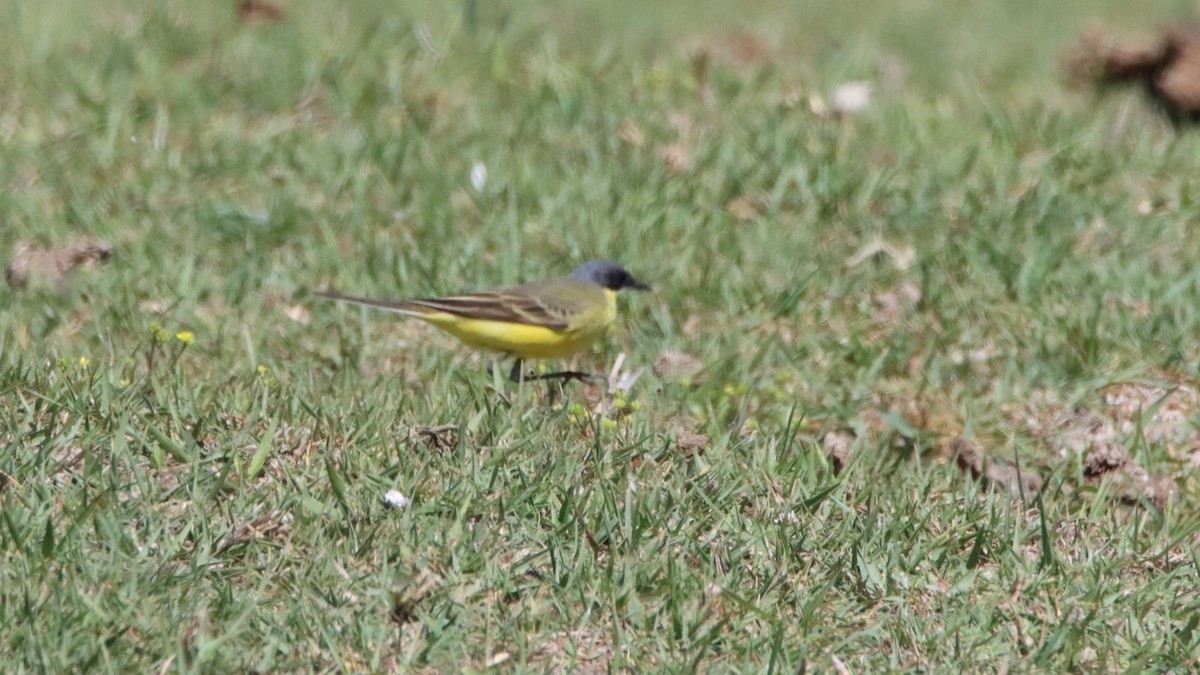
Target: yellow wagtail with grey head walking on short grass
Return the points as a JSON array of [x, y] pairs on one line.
[[541, 320]]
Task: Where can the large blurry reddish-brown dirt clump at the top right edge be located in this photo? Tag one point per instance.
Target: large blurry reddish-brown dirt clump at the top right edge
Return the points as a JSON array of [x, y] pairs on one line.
[[1169, 70]]
